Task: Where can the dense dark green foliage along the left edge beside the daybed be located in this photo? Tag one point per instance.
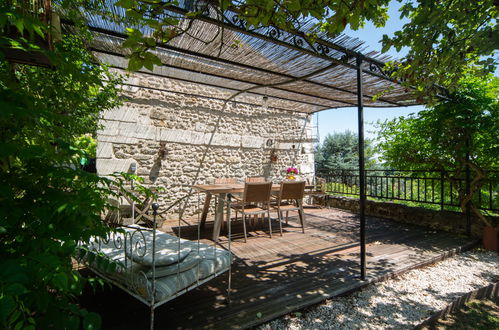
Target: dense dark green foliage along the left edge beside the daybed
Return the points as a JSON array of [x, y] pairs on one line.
[[47, 204]]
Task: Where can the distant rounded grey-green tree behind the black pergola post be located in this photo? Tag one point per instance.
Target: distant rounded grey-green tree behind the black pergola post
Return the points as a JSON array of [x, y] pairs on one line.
[[341, 151]]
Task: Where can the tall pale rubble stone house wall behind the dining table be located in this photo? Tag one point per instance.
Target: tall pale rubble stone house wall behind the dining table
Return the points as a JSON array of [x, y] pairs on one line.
[[180, 134]]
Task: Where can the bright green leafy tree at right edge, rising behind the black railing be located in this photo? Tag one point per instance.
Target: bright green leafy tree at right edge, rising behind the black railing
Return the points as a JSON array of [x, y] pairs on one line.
[[440, 137]]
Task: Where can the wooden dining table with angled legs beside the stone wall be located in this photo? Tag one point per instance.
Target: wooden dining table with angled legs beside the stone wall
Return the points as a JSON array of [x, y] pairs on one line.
[[223, 190]]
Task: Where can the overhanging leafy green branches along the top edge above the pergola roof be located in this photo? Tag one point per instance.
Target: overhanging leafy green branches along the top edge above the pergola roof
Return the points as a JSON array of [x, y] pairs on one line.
[[445, 37]]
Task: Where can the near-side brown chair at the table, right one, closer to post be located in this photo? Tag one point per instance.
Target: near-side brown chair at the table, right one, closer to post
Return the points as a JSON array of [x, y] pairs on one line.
[[290, 198]]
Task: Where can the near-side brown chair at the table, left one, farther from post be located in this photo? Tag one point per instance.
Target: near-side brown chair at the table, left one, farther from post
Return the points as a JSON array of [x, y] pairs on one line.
[[255, 202]]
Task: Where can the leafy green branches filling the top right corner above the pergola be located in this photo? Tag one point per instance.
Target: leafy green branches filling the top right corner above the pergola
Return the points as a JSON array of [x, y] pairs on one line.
[[445, 39]]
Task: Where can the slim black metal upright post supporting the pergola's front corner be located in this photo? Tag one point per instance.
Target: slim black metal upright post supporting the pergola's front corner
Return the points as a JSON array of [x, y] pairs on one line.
[[362, 200]]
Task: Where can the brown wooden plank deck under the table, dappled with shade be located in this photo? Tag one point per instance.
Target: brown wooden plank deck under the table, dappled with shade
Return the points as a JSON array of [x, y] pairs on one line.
[[272, 277]]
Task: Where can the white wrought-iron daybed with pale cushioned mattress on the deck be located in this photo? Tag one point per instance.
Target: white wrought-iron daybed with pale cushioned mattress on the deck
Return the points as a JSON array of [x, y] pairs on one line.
[[153, 266]]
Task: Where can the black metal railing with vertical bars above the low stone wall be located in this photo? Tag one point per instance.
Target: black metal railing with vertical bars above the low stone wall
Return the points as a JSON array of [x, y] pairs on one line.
[[428, 187]]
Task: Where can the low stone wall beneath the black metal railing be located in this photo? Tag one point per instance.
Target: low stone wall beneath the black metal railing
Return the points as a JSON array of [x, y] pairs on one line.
[[442, 220]]
